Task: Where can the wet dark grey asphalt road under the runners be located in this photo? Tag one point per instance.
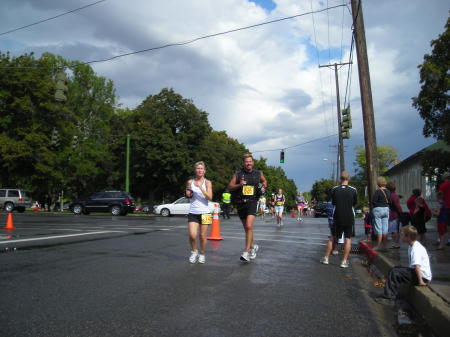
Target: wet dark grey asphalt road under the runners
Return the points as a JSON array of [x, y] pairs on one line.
[[129, 276]]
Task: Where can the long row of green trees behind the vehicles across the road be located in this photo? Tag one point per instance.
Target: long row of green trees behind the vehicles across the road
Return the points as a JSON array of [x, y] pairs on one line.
[[79, 146]]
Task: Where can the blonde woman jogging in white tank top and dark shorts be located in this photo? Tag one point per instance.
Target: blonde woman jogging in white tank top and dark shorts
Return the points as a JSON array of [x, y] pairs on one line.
[[199, 190]]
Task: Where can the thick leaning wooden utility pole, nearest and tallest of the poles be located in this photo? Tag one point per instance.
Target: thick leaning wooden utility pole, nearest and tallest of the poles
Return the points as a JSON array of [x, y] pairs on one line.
[[366, 97]]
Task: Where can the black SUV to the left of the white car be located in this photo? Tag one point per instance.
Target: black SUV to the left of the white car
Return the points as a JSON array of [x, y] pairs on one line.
[[116, 202]]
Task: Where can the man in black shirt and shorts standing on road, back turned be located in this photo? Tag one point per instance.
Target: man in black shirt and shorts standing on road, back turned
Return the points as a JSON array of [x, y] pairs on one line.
[[344, 198]]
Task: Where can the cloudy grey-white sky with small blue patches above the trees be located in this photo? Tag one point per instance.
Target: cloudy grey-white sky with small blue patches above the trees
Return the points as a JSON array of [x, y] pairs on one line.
[[262, 85]]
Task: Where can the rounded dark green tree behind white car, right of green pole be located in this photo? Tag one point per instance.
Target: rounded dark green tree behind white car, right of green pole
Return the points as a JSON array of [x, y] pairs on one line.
[[167, 131]]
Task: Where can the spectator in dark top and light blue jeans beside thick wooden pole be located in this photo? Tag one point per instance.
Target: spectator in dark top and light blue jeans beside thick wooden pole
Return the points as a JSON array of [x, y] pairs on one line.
[[380, 208]]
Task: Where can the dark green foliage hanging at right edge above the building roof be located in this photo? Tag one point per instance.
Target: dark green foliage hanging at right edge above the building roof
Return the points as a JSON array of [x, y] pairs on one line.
[[433, 99]]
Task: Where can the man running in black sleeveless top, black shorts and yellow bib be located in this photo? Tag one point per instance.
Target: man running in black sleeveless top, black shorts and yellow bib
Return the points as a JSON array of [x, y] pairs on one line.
[[245, 184]]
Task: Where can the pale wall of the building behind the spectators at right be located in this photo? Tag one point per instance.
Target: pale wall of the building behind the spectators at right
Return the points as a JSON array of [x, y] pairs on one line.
[[408, 177]]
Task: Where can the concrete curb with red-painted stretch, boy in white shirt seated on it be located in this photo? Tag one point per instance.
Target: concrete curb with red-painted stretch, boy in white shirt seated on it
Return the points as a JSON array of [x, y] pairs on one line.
[[430, 306]]
